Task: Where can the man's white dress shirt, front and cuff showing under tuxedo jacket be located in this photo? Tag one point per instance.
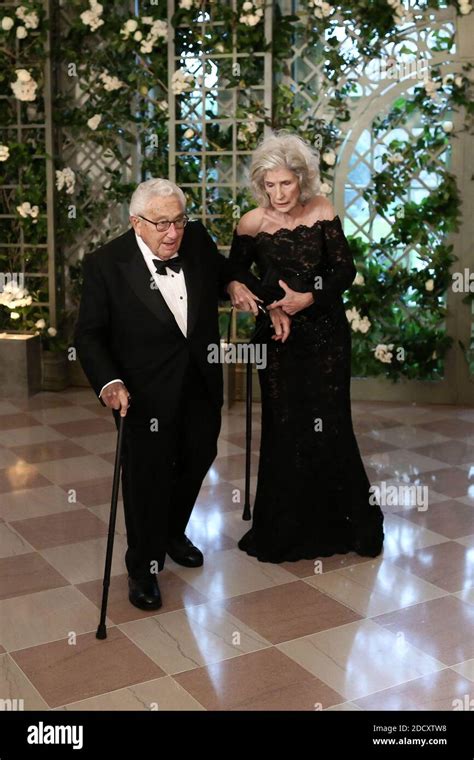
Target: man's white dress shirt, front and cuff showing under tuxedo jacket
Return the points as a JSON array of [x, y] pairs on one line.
[[172, 287]]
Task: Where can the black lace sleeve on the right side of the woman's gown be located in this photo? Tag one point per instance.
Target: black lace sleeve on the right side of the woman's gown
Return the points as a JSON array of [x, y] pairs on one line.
[[338, 269]]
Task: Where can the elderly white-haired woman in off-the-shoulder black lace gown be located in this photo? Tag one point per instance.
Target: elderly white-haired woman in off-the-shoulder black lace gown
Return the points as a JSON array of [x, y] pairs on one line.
[[313, 498]]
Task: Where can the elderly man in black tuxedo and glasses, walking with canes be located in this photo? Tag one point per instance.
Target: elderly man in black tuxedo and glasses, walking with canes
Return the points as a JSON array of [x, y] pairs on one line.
[[149, 311]]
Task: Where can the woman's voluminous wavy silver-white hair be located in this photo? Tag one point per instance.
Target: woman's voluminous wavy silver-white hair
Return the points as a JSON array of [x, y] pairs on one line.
[[285, 150]]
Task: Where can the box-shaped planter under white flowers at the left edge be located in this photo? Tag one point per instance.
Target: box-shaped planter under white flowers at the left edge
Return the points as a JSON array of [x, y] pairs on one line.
[[20, 364]]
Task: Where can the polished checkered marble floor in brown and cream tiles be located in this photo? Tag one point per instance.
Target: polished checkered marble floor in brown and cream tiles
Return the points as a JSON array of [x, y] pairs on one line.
[[352, 633]]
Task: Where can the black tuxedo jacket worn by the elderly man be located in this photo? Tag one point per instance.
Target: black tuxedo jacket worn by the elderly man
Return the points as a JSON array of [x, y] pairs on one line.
[[125, 329]]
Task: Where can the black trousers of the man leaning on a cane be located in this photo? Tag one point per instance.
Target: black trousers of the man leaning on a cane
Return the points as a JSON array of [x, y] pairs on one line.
[[162, 473]]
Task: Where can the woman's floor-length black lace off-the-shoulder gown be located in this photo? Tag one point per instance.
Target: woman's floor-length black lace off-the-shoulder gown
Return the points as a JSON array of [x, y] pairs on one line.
[[312, 497]]
